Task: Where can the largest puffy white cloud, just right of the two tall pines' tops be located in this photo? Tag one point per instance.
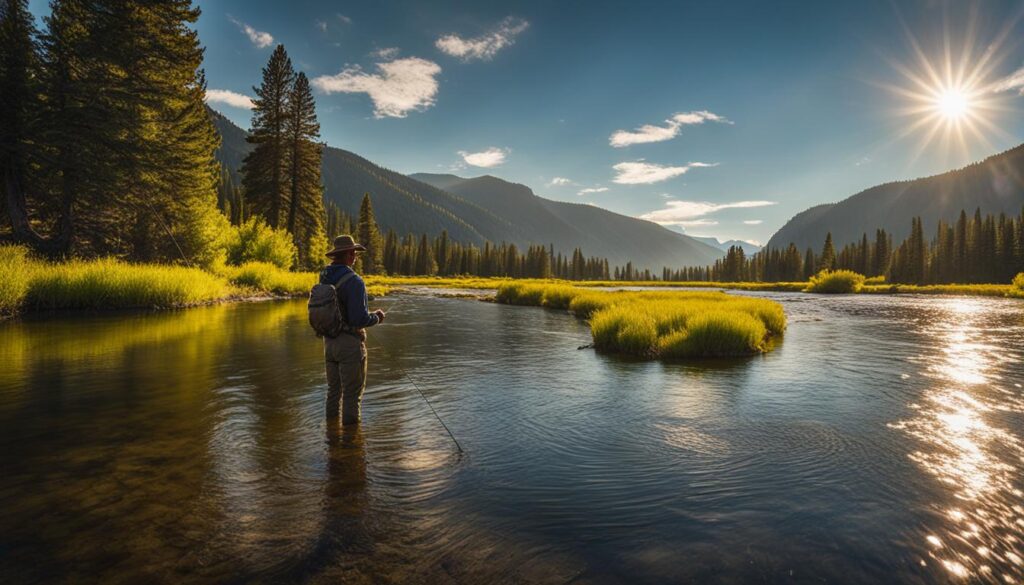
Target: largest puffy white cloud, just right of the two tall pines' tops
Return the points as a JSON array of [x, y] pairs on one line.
[[400, 87]]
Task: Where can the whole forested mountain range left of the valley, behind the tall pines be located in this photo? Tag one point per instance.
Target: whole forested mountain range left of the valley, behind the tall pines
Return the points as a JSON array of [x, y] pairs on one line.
[[475, 211]]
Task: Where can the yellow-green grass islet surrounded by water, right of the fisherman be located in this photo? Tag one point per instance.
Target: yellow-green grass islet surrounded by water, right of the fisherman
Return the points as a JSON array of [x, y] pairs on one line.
[[668, 325]]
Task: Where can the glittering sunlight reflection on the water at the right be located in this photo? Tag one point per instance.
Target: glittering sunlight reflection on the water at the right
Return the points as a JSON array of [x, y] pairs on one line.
[[964, 444]]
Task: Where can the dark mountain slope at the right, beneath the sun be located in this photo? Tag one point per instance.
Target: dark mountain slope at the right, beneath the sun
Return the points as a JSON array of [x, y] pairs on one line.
[[996, 185]]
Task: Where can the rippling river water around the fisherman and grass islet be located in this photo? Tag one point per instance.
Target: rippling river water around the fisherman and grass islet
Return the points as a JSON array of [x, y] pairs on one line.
[[882, 441]]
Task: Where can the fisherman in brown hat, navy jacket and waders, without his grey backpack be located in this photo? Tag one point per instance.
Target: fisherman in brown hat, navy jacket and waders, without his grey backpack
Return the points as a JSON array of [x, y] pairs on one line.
[[346, 348]]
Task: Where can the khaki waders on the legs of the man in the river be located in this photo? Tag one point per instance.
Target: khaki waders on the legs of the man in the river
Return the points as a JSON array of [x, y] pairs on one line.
[[346, 357]]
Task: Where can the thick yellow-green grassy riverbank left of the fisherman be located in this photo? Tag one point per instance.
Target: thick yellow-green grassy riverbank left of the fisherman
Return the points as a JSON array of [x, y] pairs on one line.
[[33, 285]]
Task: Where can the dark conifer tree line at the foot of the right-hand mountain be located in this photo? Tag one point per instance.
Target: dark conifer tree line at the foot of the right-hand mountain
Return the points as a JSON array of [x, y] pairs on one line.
[[978, 249]]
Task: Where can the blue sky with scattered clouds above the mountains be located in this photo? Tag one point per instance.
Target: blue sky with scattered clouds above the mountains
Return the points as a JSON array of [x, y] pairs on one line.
[[716, 118]]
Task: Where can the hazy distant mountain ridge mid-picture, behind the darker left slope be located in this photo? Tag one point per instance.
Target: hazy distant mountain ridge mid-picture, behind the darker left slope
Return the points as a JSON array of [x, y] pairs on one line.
[[567, 226]]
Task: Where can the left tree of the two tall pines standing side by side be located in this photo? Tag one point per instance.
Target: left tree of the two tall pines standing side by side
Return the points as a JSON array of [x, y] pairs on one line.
[[265, 168]]
